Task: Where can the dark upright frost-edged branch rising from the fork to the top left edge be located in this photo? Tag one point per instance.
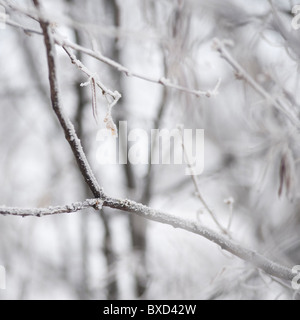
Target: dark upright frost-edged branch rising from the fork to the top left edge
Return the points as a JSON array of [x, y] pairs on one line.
[[65, 122]]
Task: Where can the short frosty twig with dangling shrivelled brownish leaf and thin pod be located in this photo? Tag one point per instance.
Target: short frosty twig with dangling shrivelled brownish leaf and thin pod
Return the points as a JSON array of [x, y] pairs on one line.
[[112, 97]]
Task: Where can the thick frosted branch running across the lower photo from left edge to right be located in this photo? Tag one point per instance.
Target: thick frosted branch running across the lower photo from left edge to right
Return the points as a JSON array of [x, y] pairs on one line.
[[270, 267]]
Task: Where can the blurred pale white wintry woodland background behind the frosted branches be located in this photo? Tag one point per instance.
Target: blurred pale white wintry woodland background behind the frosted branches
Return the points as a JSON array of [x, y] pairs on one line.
[[62, 257]]
